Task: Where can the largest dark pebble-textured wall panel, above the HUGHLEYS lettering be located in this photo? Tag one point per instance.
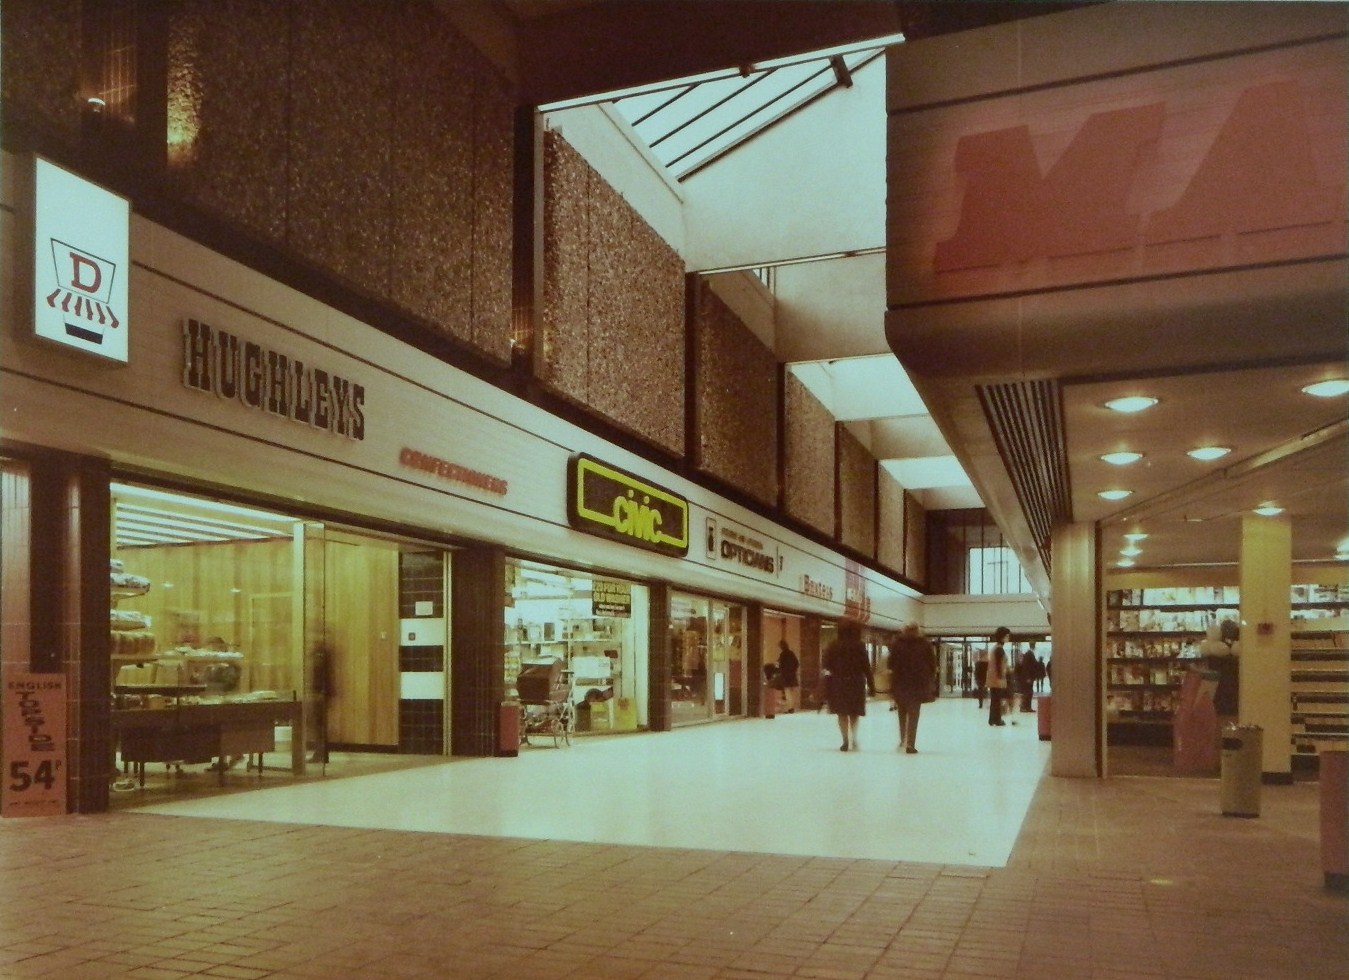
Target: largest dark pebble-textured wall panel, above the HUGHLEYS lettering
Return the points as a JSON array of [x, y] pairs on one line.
[[369, 138]]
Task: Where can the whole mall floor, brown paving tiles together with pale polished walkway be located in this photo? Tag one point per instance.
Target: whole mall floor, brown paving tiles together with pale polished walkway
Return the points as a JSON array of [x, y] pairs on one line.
[[1124, 878]]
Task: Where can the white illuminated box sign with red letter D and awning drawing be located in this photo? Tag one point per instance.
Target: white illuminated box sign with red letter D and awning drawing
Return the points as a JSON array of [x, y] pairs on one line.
[[82, 263]]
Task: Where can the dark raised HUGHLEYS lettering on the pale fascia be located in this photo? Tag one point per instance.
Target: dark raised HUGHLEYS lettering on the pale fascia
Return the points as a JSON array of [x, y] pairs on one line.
[[269, 381]]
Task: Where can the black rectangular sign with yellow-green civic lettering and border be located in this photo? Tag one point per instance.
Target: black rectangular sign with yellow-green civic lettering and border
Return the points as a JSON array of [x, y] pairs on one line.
[[613, 504]]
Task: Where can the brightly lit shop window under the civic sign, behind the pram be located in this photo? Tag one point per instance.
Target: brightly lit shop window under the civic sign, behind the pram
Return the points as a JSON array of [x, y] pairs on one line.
[[578, 638]]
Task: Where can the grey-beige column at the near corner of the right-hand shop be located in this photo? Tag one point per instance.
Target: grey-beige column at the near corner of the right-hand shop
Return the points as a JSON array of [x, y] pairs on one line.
[[1079, 720]]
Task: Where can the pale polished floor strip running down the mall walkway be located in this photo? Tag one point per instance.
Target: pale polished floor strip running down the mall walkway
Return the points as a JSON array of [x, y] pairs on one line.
[[771, 786]]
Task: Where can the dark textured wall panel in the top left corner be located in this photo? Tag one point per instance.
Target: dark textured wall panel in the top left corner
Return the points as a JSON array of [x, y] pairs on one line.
[[42, 61]]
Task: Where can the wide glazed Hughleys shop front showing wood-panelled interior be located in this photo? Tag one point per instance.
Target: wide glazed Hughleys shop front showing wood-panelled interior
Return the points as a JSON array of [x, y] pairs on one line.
[[252, 647]]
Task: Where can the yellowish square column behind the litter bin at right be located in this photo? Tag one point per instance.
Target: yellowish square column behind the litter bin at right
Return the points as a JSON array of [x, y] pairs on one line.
[[1266, 577]]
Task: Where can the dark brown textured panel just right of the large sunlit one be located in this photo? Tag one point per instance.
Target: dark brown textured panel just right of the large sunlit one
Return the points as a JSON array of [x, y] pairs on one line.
[[737, 402]]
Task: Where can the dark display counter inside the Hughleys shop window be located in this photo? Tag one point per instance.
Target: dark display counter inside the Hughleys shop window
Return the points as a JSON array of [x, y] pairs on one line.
[[200, 734]]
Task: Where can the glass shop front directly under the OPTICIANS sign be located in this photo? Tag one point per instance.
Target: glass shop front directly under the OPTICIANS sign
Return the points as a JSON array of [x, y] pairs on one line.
[[708, 651]]
